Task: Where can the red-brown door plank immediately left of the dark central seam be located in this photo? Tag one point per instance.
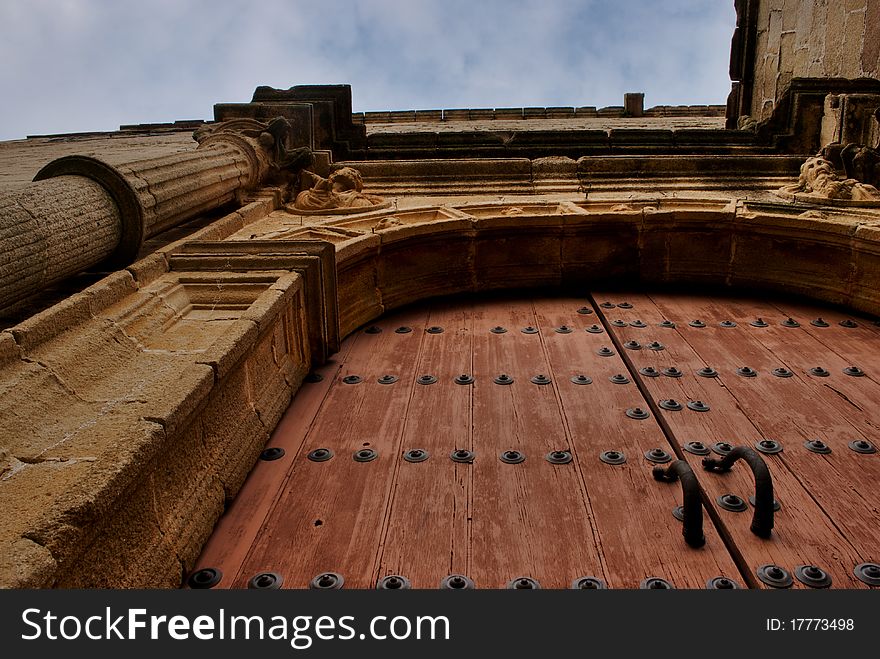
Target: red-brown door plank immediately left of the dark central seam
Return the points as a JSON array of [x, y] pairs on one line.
[[637, 534]]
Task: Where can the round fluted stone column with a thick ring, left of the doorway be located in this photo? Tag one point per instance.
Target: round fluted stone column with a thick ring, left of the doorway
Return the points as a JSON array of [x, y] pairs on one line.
[[80, 211]]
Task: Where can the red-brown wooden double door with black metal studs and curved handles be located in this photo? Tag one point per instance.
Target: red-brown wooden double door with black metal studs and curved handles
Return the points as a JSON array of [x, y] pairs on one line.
[[500, 374]]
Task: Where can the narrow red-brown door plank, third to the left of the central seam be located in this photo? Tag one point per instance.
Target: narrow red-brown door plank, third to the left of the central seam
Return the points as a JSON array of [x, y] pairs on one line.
[[427, 532]]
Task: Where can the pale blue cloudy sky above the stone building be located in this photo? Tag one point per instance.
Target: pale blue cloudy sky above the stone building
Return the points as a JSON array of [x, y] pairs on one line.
[[80, 65]]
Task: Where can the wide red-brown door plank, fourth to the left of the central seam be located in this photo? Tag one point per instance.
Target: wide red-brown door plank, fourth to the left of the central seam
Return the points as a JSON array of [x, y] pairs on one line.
[[328, 517]]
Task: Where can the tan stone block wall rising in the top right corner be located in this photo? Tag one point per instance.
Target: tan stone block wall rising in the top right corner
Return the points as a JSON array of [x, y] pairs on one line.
[[812, 39]]
